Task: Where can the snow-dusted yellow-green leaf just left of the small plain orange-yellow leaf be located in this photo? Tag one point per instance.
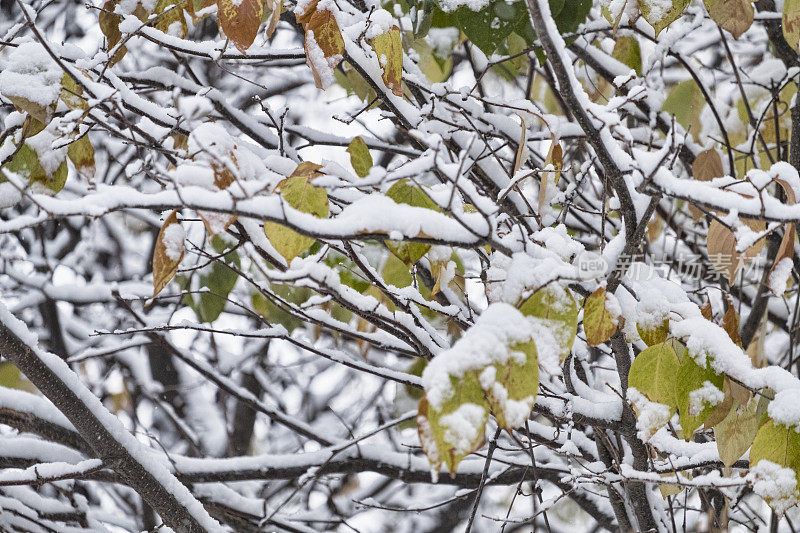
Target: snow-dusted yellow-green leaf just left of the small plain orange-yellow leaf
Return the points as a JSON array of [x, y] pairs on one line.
[[556, 308]]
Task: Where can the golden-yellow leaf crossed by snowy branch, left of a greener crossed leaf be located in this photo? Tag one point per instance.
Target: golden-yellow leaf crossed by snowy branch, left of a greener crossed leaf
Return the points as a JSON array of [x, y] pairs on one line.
[[301, 195]]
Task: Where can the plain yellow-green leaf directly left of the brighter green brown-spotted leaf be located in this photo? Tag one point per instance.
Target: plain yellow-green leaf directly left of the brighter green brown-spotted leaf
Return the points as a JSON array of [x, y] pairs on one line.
[[654, 373]]
